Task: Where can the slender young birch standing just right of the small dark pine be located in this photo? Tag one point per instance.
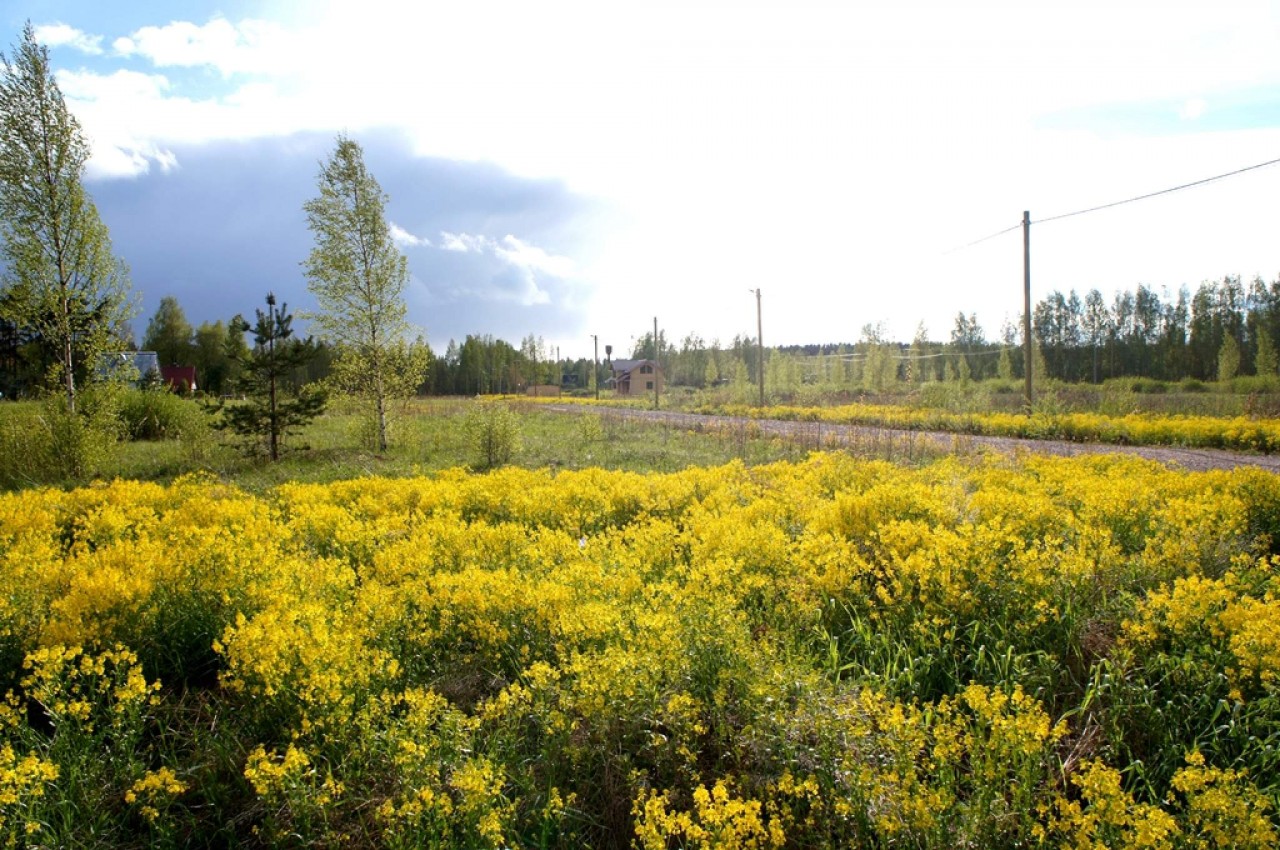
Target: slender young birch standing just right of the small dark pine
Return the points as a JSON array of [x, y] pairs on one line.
[[358, 276]]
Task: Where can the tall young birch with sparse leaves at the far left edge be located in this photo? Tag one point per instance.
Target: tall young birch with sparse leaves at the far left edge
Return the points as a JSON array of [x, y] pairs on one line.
[[62, 280]]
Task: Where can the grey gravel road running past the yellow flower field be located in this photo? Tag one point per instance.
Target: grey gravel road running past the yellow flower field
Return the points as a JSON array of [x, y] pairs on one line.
[[907, 444]]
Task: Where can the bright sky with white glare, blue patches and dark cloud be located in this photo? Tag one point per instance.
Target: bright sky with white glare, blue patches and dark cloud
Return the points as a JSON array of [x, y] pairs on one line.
[[568, 170]]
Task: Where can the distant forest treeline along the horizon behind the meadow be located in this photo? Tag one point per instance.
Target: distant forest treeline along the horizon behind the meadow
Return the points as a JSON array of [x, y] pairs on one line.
[[1220, 331]]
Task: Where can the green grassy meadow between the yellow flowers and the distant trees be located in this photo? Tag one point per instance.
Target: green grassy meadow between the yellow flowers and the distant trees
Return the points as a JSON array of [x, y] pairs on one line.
[[431, 436]]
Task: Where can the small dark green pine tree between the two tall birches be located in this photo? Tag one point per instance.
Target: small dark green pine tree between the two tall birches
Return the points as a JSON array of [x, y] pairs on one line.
[[273, 409]]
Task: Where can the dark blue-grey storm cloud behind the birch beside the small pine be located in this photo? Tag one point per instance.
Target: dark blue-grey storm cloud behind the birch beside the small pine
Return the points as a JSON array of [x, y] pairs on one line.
[[227, 227]]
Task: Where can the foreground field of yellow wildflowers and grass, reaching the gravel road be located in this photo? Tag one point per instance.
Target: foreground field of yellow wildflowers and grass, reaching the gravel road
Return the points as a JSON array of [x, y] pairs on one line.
[[723, 642]]
